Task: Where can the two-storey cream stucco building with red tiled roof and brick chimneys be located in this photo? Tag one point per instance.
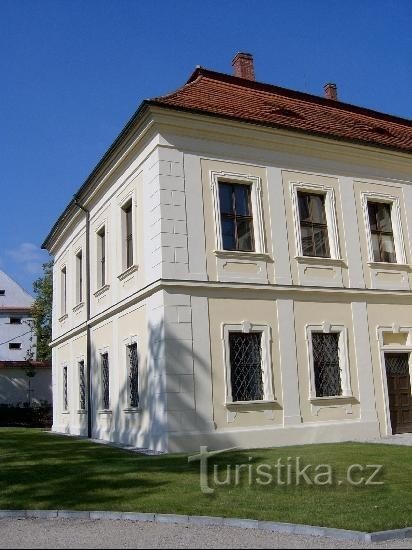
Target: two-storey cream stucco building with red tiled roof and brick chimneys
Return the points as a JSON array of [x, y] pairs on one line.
[[237, 271]]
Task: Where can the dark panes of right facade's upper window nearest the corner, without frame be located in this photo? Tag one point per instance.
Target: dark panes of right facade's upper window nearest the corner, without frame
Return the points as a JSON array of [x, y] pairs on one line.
[[236, 217]]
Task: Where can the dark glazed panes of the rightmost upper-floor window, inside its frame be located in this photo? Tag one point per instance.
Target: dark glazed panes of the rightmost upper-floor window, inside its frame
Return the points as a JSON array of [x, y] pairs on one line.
[[380, 222]]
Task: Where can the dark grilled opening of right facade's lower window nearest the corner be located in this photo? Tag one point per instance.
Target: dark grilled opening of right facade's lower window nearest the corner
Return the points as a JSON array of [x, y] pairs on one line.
[[246, 366]]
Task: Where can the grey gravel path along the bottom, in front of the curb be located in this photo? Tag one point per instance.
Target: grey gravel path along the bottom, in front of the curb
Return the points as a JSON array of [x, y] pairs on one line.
[[69, 533]]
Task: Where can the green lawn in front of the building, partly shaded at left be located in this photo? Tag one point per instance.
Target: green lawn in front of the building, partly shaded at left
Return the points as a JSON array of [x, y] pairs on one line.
[[43, 471]]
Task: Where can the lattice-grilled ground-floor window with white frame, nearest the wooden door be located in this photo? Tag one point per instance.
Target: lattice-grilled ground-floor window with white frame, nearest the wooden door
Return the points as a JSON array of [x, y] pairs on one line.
[[328, 358]]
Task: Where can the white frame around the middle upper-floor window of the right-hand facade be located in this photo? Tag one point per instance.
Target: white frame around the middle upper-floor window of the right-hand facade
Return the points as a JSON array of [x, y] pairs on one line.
[[330, 212]]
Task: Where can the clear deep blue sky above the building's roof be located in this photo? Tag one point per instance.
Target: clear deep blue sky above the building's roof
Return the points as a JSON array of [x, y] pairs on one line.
[[74, 71]]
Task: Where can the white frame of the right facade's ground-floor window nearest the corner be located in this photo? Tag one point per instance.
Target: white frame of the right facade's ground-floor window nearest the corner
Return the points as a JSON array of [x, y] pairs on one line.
[[267, 377]]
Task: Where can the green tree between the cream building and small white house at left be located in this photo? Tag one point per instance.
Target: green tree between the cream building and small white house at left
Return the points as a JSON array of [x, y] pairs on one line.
[[42, 312]]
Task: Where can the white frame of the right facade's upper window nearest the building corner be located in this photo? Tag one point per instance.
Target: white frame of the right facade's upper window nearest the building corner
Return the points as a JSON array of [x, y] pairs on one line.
[[255, 184]]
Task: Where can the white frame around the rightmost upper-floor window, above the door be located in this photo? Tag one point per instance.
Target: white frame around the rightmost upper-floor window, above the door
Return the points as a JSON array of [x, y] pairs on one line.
[[394, 203]]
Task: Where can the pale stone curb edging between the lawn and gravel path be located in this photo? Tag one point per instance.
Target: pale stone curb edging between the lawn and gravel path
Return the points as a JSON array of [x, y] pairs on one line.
[[202, 521]]
